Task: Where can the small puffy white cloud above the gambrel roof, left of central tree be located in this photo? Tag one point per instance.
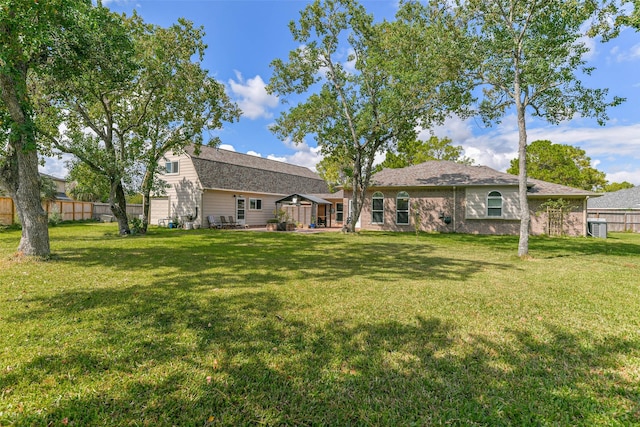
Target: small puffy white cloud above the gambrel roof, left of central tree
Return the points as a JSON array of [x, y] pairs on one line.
[[254, 101]]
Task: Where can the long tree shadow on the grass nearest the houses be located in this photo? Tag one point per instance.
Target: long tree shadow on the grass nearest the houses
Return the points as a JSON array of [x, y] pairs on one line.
[[252, 259]]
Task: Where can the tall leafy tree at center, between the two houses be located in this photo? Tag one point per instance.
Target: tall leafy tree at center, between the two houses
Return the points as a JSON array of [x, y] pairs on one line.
[[356, 106]]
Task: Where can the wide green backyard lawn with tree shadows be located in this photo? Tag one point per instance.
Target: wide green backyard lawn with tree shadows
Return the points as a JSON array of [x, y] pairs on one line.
[[210, 327]]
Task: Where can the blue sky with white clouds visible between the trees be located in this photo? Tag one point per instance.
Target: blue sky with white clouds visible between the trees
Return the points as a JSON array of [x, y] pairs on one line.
[[244, 36]]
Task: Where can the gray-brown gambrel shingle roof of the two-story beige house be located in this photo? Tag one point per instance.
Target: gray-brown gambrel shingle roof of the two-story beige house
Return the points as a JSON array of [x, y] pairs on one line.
[[223, 169]]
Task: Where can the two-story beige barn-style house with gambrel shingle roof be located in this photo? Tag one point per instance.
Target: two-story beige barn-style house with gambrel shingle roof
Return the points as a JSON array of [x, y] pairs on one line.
[[221, 182]]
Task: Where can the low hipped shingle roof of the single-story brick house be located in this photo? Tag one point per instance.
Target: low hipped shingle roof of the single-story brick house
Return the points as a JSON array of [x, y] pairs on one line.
[[440, 173]]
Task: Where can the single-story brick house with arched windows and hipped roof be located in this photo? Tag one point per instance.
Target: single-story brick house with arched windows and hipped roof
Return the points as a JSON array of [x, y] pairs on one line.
[[451, 197]]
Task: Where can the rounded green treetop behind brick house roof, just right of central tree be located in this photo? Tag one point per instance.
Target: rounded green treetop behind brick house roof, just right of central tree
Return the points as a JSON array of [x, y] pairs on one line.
[[417, 151]]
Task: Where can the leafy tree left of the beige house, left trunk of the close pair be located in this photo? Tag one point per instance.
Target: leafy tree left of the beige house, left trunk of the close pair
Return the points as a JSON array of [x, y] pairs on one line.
[[98, 117]]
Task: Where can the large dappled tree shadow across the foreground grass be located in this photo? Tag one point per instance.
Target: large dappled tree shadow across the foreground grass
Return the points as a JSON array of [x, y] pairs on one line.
[[183, 358]]
